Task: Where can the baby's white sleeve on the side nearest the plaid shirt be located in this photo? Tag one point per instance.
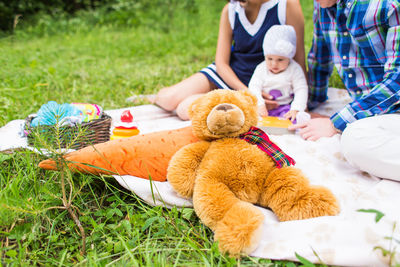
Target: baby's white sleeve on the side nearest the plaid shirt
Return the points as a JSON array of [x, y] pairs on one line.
[[300, 89]]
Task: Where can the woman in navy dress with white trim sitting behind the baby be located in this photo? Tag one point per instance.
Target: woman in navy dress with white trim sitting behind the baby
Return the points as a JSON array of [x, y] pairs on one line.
[[243, 25]]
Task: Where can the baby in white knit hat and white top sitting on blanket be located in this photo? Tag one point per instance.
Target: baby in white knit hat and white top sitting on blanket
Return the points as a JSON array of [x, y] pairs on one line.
[[279, 75]]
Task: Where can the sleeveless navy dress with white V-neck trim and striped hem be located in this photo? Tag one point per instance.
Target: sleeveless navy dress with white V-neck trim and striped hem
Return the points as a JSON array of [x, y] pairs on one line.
[[247, 50]]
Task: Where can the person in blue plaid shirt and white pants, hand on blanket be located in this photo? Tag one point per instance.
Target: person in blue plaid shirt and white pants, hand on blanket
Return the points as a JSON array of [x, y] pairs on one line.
[[362, 39]]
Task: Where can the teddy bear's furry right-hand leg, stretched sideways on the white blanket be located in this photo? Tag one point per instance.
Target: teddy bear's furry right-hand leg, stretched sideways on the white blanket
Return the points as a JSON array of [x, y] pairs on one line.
[[290, 196]]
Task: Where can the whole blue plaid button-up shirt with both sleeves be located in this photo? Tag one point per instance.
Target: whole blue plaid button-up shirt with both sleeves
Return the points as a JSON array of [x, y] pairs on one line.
[[362, 39]]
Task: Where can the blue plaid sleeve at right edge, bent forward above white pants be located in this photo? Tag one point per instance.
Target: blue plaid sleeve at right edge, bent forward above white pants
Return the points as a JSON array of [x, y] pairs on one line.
[[385, 96]]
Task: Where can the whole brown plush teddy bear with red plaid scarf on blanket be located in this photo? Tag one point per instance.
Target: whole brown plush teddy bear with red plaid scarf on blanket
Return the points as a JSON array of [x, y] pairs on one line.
[[233, 167]]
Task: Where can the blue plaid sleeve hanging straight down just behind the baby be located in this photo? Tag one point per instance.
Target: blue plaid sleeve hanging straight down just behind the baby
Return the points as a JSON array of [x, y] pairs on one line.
[[320, 64]]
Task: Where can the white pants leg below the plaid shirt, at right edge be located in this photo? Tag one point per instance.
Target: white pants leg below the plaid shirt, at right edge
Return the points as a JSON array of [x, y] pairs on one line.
[[373, 145]]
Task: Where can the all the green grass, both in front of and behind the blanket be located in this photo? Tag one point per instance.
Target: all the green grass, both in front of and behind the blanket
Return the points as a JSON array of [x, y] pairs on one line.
[[73, 60]]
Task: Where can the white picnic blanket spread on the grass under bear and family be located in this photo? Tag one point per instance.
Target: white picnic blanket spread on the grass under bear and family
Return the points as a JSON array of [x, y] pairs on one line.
[[356, 237]]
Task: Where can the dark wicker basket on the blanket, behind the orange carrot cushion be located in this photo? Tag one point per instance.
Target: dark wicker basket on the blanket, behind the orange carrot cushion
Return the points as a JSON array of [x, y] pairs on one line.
[[75, 137]]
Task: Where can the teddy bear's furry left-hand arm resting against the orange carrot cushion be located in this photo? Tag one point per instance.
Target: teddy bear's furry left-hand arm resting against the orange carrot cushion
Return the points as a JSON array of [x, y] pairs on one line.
[[182, 167]]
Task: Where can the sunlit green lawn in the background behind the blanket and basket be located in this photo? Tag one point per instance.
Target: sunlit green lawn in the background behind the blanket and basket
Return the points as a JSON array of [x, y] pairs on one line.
[[102, 65]]
